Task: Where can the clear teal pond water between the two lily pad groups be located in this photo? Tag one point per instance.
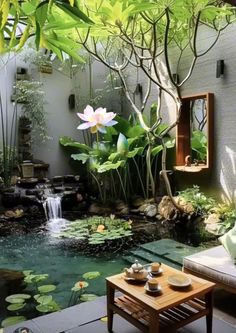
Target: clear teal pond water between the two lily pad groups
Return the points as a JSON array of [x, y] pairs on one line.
[[44, 255]]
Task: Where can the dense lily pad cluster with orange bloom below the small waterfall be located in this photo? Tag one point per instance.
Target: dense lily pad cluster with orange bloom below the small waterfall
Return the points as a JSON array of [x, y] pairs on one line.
[[96, 230]]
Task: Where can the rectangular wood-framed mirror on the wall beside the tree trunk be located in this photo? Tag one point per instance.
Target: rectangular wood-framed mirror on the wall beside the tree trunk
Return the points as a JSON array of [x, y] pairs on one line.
[[194, 140]]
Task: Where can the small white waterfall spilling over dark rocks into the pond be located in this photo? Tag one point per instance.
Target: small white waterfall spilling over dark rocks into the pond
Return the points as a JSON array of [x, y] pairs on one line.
[[53, 212]]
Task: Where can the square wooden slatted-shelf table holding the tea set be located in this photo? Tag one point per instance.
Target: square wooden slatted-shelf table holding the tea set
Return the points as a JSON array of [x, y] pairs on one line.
[[170, 309]]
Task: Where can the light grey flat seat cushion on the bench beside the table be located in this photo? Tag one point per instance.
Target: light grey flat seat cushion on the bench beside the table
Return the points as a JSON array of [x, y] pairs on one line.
[[214, 263]]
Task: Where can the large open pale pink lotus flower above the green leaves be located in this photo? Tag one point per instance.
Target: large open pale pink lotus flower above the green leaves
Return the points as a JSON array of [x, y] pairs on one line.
[[96, 120]]
